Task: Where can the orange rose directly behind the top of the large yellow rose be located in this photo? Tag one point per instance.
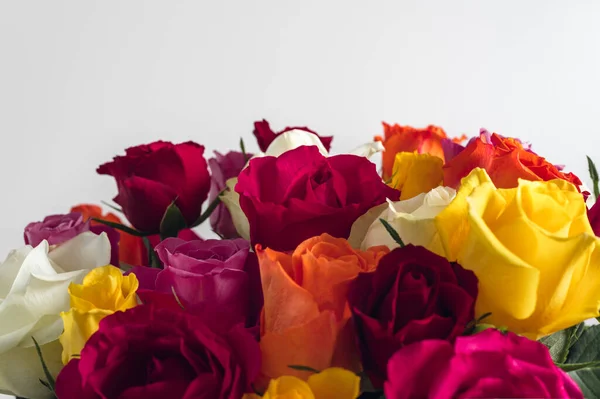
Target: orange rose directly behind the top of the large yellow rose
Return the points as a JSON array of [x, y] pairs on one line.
[[505, 160]]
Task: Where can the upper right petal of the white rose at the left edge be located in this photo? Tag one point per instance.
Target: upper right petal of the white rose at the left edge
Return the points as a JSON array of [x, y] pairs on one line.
[[86, 251]]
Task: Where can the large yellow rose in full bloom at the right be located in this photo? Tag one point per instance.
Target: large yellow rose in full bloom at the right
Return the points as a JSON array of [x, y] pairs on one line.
[[532, 249]]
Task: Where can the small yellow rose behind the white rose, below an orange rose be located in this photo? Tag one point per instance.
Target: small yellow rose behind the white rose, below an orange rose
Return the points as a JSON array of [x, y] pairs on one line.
[[415, 173]]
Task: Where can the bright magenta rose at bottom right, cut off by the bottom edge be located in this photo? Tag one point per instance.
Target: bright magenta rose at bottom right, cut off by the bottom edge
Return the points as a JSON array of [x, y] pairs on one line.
[[489, 364]]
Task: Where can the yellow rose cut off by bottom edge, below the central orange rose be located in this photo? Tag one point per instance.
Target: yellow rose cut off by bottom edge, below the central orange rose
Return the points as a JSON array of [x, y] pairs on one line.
[[333, 382]]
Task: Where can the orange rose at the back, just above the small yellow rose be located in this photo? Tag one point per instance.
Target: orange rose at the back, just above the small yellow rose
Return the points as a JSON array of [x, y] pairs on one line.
[[408, 139]]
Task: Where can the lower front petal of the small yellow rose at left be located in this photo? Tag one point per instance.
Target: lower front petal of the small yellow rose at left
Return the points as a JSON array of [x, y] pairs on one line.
[[78, 328]]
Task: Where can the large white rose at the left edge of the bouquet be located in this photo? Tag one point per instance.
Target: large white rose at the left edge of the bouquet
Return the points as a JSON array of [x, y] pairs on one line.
[[33, 292]]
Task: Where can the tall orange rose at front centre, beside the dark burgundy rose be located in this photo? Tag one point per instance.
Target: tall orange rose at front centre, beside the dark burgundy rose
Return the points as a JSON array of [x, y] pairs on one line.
[[305, 311]]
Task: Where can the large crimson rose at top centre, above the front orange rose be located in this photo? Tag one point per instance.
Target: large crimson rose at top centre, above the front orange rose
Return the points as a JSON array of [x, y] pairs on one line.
[[302, 194]]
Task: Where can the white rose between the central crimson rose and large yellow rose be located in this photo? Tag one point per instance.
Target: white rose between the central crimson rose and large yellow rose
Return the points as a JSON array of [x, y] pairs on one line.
[[413, 219]]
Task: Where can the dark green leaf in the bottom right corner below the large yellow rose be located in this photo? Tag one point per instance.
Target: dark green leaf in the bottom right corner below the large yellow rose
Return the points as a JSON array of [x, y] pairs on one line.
[[587, 350]]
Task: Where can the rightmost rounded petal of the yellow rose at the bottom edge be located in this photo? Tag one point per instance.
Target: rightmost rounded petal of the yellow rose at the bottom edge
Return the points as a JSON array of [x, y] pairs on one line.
[[336, 383]]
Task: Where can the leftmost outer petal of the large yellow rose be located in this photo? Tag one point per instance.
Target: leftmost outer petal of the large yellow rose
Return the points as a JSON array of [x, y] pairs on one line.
[[452, 223]]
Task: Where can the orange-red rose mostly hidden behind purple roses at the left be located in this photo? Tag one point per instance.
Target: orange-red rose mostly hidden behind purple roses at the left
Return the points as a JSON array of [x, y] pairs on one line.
[[131, 248]]
